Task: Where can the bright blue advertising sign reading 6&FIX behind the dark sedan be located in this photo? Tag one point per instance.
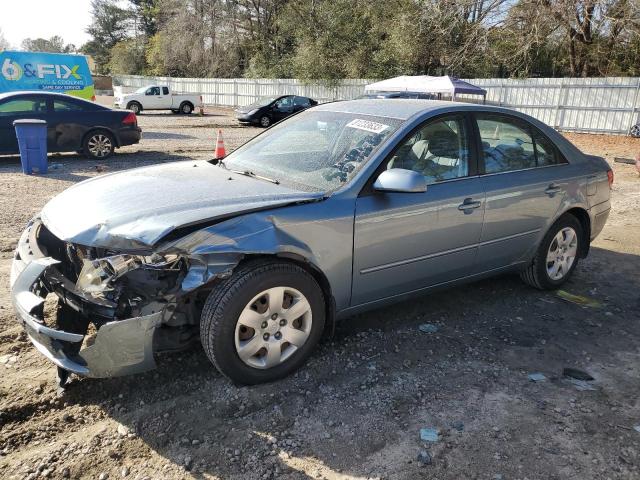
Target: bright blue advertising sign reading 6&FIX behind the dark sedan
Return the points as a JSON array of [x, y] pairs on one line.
[[53, 72]]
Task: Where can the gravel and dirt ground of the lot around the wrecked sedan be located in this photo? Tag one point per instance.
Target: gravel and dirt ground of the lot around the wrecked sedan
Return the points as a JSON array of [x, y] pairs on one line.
[[356, 410]]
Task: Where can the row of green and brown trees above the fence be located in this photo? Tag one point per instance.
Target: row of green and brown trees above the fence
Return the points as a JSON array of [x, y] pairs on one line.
[[331, 40]]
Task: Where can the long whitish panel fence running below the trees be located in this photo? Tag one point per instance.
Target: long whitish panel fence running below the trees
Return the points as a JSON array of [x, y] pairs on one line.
[[594, 105]]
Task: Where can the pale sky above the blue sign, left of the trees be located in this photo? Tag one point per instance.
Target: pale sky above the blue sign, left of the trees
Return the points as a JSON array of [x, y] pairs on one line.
[[22, 19]]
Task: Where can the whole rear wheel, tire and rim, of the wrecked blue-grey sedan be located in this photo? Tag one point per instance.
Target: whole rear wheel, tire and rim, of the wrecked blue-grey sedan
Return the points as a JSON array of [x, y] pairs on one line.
[[540, 273]]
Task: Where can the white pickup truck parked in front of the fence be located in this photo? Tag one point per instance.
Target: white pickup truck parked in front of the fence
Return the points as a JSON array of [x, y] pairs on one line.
[[158, 97]]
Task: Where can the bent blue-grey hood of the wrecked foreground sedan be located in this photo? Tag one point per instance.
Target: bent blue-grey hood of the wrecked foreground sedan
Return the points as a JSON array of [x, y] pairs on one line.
[[135, 208]]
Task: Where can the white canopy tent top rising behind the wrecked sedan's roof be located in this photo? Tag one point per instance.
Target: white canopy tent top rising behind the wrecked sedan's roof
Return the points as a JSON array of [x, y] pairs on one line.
[[426, 84]]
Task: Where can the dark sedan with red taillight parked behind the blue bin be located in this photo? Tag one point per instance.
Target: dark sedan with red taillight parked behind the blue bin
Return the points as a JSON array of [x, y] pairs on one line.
[[73, 124]]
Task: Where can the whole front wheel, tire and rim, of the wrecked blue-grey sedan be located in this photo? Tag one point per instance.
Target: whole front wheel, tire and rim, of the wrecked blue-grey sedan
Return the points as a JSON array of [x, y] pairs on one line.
[[224, 335]]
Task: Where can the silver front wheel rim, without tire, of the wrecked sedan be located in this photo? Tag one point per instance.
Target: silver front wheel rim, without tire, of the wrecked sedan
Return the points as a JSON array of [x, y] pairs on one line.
[[272, 326]]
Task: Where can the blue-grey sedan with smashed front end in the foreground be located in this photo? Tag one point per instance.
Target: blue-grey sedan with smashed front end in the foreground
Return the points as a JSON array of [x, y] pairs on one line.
[[342, 208]]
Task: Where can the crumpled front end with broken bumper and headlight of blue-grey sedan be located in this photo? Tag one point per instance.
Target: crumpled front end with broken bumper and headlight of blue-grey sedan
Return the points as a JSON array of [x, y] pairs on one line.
[[103, 329]]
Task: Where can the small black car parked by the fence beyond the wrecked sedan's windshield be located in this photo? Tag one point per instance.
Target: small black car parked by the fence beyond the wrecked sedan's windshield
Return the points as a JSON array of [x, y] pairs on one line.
[[269, 110]]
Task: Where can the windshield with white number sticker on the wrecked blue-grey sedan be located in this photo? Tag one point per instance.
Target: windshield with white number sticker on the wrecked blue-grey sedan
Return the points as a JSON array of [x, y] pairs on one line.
[[314, 151]]
